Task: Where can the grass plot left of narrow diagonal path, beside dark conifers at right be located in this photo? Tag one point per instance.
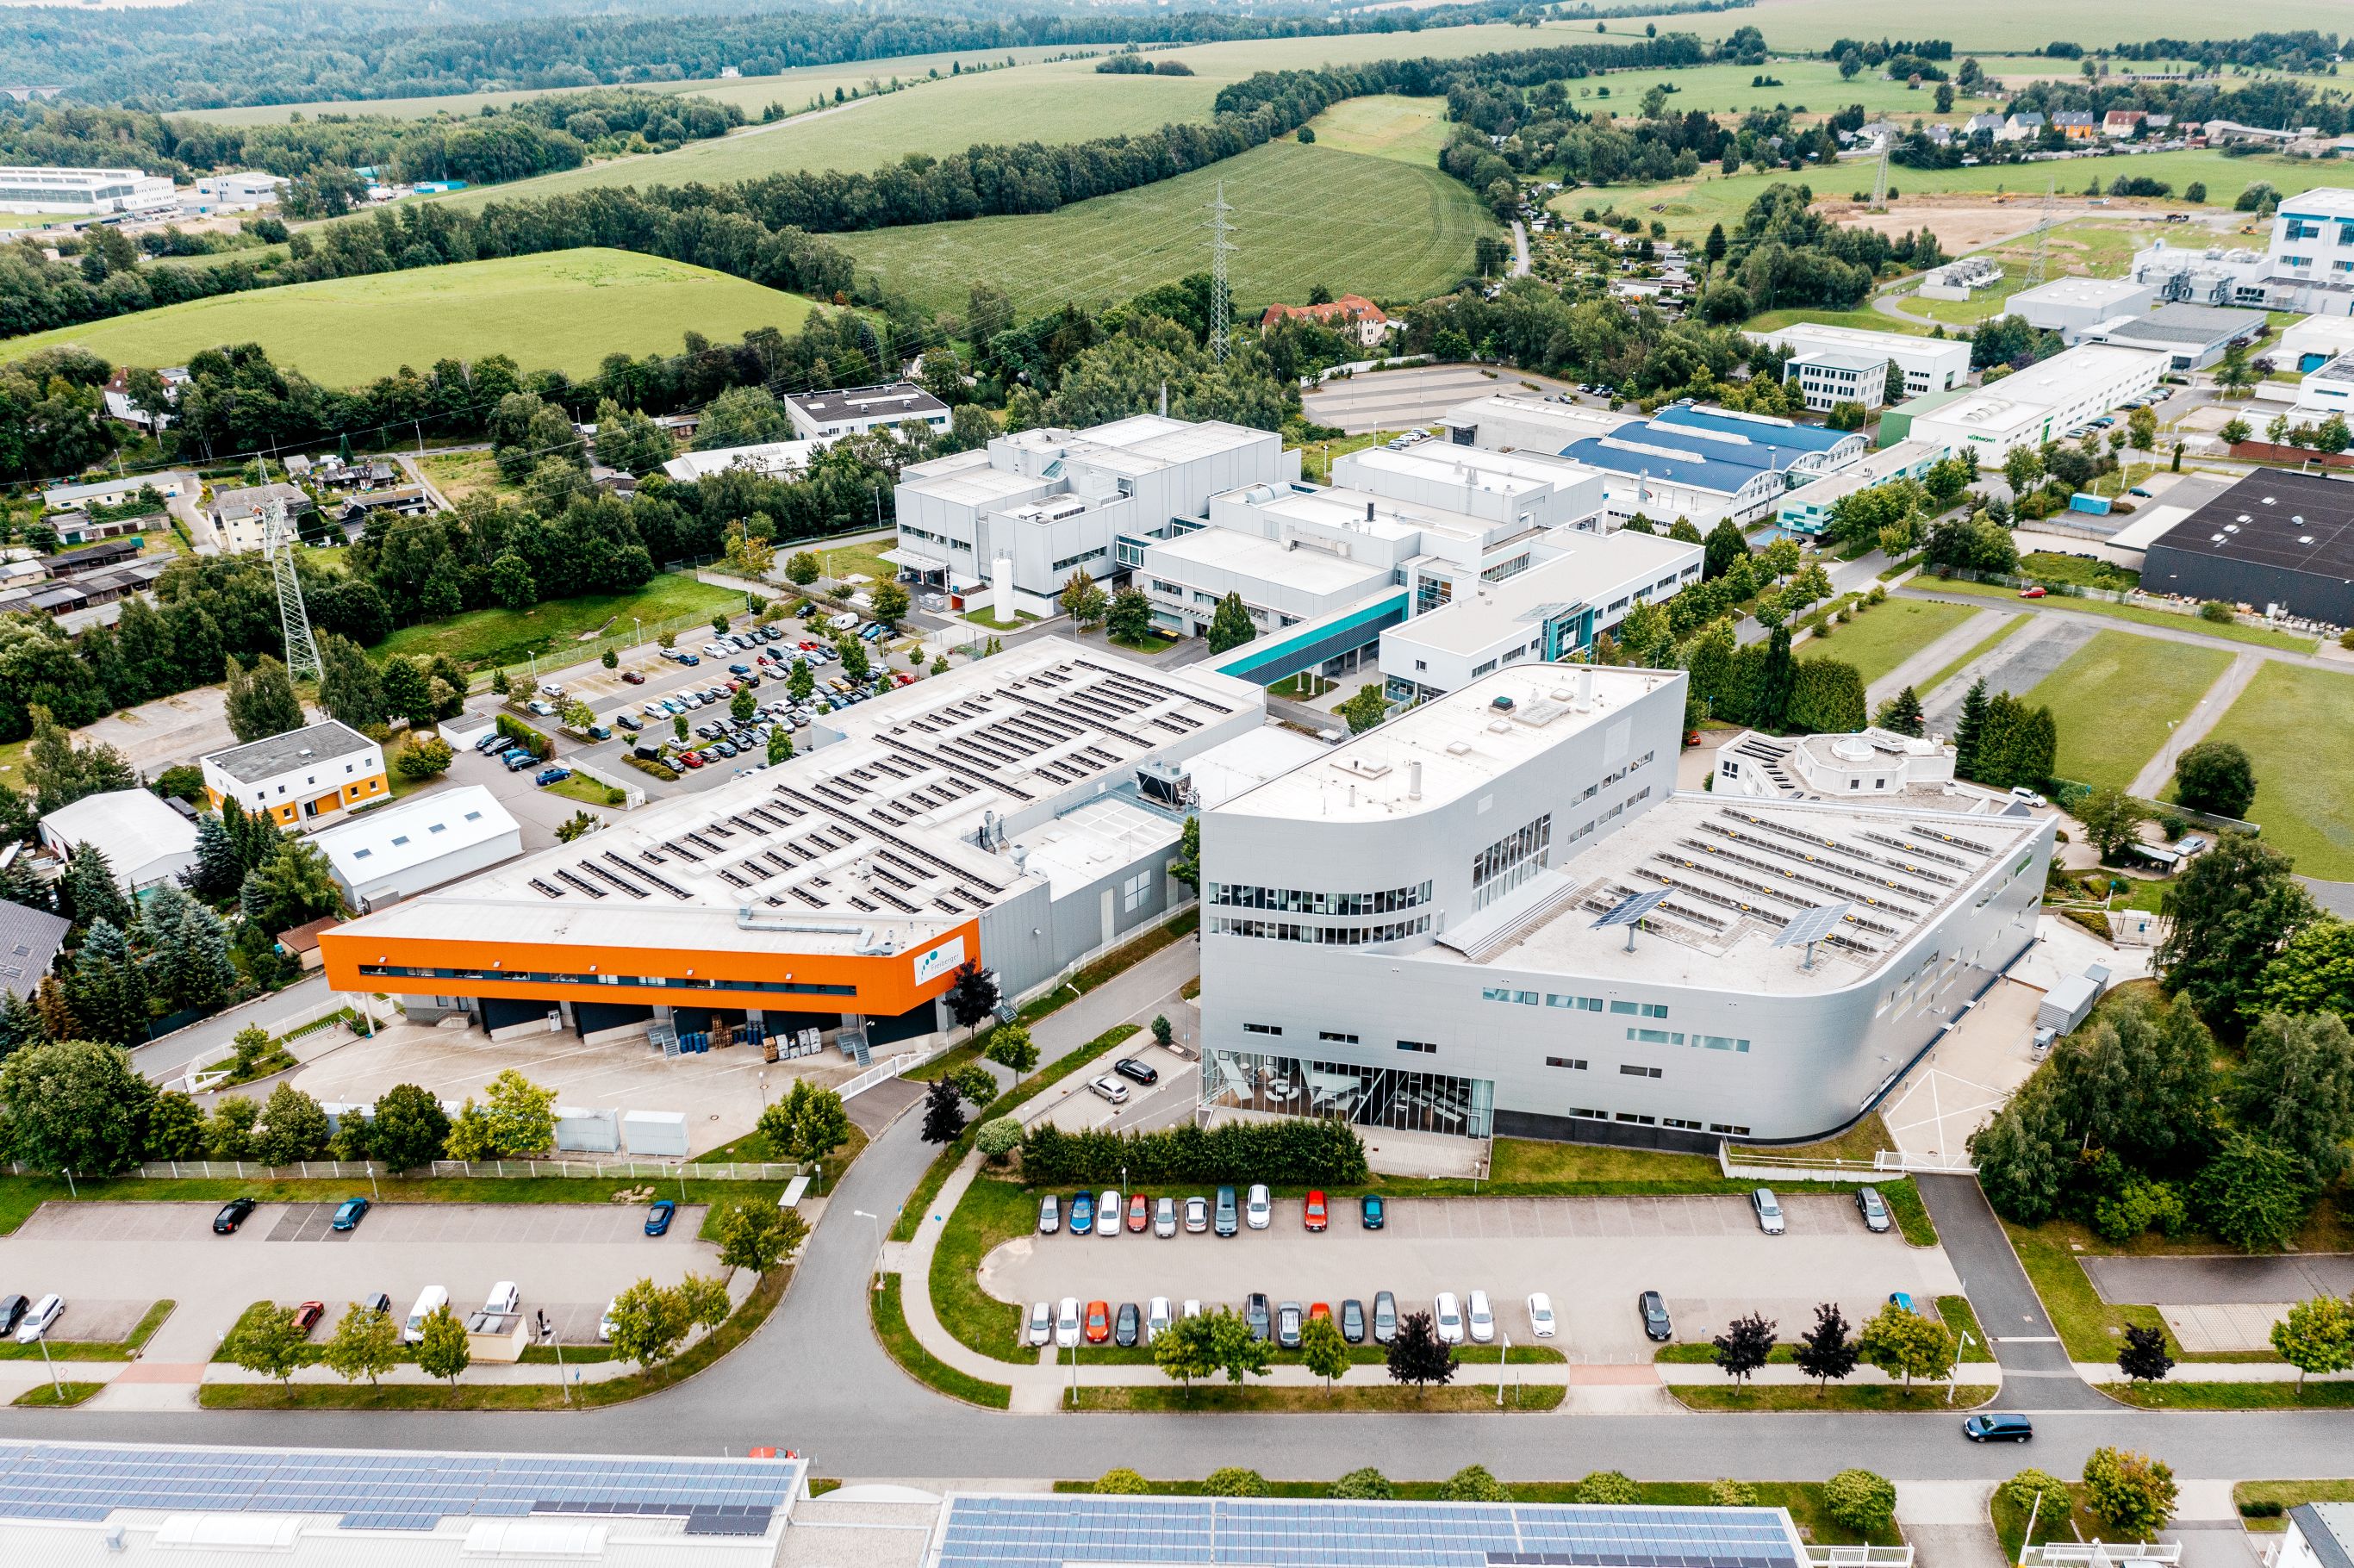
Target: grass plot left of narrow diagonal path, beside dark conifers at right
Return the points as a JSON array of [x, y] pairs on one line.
[[2120, 696]]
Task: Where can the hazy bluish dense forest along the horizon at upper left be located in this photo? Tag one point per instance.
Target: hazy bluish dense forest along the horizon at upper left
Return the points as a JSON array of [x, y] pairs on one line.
[[286, 53]]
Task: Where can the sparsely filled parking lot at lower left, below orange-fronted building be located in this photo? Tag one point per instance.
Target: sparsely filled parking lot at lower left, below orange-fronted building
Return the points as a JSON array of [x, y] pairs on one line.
[[121, 1258]]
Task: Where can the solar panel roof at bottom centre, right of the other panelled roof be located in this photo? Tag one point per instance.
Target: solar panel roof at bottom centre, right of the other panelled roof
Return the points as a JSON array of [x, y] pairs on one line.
[[1046, 1532]]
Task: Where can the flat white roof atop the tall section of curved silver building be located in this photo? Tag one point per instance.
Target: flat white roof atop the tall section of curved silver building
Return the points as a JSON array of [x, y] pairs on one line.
[[1461, 740]]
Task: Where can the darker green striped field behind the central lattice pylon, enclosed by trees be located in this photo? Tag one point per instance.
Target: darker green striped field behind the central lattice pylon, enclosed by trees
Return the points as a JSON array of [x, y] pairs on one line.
[[1303, 215]]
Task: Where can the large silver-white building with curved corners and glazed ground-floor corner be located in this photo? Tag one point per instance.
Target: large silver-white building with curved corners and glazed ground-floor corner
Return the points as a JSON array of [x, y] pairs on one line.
[[1409, 931]]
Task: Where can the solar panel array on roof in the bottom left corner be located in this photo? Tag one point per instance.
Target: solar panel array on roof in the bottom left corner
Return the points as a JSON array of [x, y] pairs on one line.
[[385, 1491]]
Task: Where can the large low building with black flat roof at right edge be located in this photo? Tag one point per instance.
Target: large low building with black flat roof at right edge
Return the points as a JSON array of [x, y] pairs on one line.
[[2275, 540]]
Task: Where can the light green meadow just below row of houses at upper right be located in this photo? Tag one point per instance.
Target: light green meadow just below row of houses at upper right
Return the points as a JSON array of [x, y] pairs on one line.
[[1691, 206]]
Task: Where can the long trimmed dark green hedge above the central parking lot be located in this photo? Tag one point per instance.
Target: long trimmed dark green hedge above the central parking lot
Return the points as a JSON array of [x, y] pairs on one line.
[[1282, 1152]]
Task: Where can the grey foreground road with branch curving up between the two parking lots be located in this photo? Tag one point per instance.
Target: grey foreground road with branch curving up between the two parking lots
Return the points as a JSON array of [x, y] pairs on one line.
[[816, 1381]]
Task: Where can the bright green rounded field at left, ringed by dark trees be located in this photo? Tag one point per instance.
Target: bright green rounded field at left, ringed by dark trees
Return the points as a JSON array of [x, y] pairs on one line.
[[550, 312]]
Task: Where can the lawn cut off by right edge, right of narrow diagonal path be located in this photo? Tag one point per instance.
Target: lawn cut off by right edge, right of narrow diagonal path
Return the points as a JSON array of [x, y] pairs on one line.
[[2299, 729]]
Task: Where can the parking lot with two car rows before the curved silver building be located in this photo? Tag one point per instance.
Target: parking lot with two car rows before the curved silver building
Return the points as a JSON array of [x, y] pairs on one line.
[[1592, 1256]]
